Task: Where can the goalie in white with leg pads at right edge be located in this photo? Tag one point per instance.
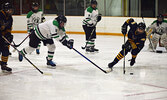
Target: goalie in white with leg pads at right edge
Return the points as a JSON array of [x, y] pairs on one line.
[[158, 31]]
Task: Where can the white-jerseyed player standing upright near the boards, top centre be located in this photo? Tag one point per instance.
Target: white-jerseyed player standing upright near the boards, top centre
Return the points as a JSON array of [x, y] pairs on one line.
[[91, 17]]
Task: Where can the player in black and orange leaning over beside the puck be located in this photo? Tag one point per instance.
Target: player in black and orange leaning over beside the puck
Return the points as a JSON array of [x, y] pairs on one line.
[[134, 44]]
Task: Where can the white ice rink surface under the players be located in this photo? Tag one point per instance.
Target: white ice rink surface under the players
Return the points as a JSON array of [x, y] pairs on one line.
[[77, 79]]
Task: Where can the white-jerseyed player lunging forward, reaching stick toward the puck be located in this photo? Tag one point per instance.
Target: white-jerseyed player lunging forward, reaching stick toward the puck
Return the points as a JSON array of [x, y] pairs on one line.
[[45, 32]]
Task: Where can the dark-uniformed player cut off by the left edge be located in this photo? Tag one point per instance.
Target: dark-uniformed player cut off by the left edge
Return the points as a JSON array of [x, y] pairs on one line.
[[6, 22]]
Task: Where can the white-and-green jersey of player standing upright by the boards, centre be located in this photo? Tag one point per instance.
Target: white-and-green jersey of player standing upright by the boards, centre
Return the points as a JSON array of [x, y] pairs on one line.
[[90, 17]]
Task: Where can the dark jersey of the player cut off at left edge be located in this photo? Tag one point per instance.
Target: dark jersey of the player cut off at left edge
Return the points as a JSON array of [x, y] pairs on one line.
[[6, 23]]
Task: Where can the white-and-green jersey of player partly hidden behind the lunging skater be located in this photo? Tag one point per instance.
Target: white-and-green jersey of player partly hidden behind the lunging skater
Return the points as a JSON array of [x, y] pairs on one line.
[[34, 18]]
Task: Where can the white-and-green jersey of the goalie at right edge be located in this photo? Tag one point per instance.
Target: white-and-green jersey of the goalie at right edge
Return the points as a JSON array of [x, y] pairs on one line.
[[158, 28]]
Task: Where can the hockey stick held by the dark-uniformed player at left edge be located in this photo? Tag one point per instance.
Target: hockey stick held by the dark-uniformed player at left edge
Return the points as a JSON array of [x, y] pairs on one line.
[[25, 57]]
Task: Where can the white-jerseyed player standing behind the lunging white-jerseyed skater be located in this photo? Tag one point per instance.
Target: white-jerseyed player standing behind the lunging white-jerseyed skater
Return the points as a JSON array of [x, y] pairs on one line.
[[34, 17]]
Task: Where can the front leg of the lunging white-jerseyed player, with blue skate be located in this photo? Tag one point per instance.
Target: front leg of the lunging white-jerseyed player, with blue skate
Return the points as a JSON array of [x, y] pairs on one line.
[[51, 49]]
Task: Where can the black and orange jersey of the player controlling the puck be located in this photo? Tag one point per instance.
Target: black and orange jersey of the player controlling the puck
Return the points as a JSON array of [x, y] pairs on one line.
[[134, 38]]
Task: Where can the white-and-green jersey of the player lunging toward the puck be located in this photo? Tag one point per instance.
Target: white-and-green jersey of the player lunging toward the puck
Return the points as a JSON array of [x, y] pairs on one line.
[[49, 29]]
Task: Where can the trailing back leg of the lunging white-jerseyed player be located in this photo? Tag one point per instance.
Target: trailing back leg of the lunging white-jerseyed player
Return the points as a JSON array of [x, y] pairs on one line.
[[33, 44]]
